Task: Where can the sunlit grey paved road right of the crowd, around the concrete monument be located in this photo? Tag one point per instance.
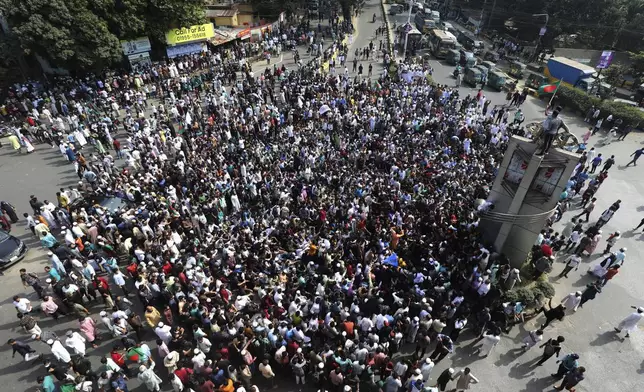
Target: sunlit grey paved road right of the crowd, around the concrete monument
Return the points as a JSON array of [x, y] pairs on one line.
[[613, 365]]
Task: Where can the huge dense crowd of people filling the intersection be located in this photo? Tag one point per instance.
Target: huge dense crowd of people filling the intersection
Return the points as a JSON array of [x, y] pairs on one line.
[[293, 224]]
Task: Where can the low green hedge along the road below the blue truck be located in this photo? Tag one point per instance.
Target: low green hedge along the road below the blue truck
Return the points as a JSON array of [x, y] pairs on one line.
[[578, 100]]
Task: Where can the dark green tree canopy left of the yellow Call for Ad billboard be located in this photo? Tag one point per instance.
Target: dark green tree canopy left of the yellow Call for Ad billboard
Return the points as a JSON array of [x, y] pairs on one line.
[[84, 35]]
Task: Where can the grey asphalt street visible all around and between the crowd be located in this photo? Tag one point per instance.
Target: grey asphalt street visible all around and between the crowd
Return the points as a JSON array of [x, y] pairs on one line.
[[613, 365]]
